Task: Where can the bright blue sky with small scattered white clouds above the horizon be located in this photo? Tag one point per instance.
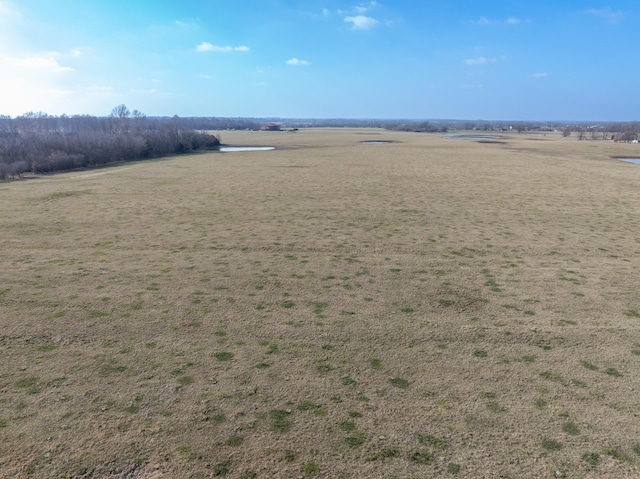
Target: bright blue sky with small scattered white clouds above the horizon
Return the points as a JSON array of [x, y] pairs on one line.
[[495, 60]]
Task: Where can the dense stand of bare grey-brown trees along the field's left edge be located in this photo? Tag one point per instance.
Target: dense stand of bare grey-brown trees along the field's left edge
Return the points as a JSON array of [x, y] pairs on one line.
[[40, 143]]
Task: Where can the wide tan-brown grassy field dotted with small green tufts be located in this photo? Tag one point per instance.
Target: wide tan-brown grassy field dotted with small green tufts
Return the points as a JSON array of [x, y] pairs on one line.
[[424, 308]]
